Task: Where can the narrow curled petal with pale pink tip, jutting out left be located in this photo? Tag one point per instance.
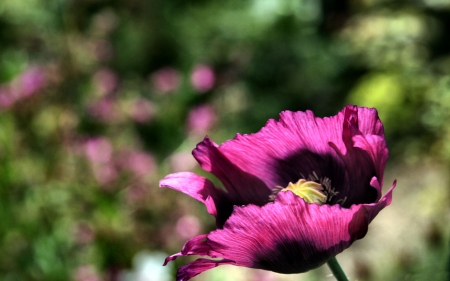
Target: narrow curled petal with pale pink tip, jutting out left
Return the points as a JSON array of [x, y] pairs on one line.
[[202, 189]]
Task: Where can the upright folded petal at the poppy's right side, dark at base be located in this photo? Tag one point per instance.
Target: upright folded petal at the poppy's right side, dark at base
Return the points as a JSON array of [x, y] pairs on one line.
[[365, 155]]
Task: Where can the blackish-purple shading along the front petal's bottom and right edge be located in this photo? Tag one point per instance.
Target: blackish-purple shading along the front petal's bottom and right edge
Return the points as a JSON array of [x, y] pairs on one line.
[[306, 253]]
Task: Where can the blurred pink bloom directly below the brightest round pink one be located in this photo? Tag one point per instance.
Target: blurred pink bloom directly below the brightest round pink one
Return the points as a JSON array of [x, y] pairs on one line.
[[201, 119]]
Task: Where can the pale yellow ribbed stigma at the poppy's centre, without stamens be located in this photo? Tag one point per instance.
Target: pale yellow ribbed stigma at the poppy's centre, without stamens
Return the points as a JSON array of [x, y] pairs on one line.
[[310, 191]]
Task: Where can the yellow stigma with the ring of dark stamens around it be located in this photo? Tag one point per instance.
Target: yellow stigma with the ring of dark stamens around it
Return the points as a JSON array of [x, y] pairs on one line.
[[312, 189]]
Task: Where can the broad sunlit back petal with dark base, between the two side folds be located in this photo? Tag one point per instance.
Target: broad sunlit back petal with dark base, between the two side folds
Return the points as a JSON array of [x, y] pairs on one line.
[[283, 150]]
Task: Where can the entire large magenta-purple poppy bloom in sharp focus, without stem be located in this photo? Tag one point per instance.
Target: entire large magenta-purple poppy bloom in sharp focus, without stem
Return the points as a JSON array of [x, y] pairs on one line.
[[297, 193]]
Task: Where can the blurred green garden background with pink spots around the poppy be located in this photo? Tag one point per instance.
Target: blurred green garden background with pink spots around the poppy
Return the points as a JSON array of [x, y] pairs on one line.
[[100, 99]]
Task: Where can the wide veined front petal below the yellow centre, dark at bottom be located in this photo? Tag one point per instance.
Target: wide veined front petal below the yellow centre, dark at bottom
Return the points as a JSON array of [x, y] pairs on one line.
[[289, 235]]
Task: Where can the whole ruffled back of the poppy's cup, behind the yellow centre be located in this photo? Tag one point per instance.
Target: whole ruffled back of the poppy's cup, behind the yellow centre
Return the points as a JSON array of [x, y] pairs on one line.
[[300, 144]]
